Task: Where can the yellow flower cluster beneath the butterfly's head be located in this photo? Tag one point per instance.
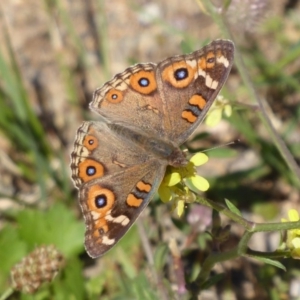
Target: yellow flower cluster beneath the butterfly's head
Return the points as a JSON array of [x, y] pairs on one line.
[[174, 185]]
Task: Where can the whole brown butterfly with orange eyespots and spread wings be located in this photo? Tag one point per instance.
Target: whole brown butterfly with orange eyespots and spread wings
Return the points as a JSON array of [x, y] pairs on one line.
[[148, 111]]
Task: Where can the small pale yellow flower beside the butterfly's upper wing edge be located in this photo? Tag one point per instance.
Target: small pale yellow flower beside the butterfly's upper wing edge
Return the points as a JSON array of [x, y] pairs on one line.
[[215, 113]]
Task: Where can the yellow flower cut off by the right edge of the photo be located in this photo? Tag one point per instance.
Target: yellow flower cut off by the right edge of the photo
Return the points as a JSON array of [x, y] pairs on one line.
[[293, 235]]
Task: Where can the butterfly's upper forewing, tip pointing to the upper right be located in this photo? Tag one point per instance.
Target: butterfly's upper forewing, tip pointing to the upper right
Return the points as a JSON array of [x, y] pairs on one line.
[[190, 84]]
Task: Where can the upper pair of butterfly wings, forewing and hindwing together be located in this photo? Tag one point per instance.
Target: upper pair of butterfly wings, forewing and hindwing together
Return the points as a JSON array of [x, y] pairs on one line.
[[168, 100]]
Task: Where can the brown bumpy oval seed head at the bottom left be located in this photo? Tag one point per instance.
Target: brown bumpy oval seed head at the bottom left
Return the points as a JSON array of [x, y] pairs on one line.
[[38, 267]]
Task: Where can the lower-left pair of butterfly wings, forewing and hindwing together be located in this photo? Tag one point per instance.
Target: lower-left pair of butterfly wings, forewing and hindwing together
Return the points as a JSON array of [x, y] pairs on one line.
[[116, 180]]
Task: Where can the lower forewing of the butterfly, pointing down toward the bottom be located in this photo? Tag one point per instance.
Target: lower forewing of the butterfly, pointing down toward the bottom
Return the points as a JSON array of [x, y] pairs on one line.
[[112, 204]]
